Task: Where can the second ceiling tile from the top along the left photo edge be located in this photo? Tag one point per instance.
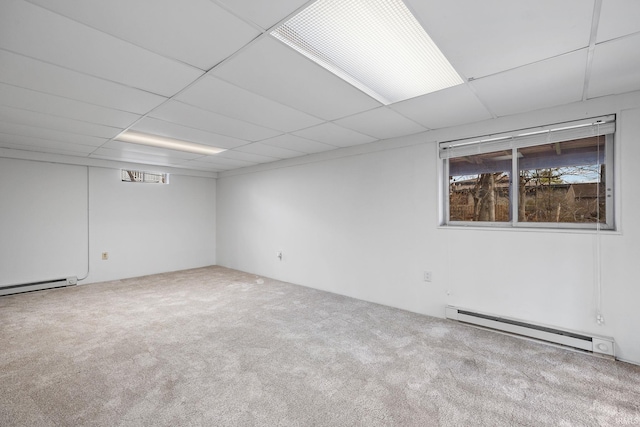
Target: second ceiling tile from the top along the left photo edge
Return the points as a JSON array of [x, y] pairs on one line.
[[36, 75]]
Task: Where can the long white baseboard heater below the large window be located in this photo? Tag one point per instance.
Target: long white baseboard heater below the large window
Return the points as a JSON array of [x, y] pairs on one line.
[[595, 344]]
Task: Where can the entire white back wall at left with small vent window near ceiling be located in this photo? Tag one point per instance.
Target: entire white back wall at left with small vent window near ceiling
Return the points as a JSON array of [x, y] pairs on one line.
[[145, 228]]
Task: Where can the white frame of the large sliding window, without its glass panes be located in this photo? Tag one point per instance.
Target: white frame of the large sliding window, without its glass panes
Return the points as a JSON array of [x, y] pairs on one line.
[[560, 132]]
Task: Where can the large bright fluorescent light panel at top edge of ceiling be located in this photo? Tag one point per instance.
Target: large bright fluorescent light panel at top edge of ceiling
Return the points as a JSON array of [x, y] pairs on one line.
[[376, 45]]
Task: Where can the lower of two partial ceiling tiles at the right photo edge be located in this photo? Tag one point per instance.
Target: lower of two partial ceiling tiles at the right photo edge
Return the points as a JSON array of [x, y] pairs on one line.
[[615, 69]]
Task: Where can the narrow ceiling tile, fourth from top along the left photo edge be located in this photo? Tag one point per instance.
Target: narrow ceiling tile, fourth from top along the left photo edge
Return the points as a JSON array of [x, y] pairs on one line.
[[30, 118]]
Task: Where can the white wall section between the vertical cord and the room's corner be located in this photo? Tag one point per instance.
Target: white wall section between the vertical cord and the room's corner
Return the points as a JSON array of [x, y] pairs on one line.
[[148, 228]]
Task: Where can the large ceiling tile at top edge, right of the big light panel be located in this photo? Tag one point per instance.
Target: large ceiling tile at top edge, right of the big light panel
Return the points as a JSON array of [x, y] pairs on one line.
[[485, 37]]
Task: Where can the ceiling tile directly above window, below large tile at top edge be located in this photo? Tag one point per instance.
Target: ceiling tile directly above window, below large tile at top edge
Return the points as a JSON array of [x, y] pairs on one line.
[[544, 84]]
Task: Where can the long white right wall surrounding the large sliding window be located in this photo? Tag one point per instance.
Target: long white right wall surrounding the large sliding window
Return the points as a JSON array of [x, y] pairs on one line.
[[366, 225]]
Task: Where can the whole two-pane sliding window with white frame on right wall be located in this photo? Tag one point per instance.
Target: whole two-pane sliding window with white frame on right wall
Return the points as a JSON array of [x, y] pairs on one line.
[[558, 176]]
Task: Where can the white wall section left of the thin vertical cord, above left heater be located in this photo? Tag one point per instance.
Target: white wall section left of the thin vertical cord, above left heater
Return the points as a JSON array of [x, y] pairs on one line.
[[43, 221]]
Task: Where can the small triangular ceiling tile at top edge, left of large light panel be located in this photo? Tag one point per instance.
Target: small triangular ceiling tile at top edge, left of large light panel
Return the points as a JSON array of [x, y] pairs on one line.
[[264, 13]]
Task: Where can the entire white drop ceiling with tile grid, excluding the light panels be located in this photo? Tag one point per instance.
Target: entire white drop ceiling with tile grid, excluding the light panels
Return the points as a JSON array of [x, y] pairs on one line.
[[82, 71]]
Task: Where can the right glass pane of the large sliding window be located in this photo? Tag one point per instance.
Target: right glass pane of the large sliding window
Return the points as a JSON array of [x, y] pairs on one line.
[[563, 182]]
